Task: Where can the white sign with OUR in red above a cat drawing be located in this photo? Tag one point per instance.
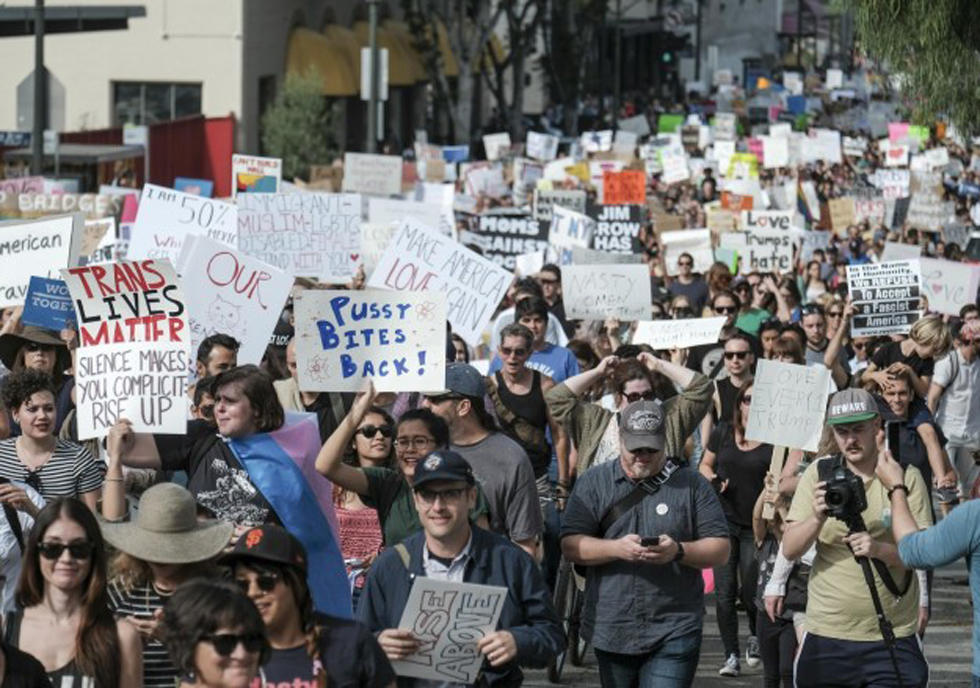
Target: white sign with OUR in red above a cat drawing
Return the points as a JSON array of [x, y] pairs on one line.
[[235, 294]]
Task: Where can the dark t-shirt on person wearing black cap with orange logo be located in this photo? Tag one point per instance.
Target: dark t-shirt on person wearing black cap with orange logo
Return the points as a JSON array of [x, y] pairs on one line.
[[349, 653]]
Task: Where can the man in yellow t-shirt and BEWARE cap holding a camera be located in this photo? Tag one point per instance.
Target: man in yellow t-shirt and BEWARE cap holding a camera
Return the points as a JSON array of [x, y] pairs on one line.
[[862, 611]]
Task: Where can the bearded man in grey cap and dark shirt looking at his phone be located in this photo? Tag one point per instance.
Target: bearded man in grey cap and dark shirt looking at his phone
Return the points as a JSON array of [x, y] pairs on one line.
[[643, 526]]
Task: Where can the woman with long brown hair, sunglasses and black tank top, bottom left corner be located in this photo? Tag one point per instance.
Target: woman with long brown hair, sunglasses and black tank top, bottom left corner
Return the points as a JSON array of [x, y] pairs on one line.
[[65, 620]]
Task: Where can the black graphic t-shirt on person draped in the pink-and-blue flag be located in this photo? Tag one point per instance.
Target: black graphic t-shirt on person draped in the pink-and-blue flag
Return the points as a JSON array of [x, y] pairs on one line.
[[217, 480]]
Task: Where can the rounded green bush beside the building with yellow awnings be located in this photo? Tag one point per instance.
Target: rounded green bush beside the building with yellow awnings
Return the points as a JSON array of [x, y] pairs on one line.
[[297, 127]]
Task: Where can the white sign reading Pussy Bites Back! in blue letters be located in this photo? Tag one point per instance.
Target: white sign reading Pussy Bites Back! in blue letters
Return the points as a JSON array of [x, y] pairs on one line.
[[398, 340]]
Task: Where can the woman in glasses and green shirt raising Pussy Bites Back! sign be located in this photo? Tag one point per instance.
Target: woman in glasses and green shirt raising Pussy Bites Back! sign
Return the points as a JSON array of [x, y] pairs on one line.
[[389, 490]]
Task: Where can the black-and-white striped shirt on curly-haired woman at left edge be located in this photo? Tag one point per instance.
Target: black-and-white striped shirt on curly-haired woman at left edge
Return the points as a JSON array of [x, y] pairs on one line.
[[70, 472]]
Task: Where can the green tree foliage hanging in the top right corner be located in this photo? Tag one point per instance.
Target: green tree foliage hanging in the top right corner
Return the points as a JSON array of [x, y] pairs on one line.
[[933, 44]]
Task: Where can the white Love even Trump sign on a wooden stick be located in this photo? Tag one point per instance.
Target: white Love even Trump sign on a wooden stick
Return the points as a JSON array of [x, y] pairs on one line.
[[788, 404]]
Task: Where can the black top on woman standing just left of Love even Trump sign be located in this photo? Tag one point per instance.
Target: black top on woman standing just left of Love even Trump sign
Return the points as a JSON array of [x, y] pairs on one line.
[[745, 472]]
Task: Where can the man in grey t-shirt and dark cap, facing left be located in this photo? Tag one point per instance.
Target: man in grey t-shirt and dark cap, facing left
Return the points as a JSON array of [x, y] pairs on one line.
[[500, 464]]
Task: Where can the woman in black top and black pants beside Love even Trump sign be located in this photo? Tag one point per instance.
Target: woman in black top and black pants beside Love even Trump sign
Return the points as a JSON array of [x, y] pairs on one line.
[[737, 469]]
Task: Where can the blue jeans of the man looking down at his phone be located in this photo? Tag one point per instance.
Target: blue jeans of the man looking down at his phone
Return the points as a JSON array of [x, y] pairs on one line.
[[670, 665]]
